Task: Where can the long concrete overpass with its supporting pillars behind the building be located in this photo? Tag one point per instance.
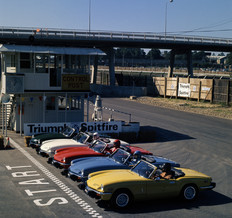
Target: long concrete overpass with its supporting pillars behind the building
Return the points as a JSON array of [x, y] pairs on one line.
[[107, 41]]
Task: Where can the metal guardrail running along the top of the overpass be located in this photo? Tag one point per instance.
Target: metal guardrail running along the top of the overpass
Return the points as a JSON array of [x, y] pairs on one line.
[[45, 32]]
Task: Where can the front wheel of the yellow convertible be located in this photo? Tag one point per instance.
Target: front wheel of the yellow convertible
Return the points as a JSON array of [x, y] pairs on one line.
[[121, 199]]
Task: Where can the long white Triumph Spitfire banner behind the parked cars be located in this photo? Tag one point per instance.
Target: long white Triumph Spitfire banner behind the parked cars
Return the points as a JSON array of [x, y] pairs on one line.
[[100, 127]]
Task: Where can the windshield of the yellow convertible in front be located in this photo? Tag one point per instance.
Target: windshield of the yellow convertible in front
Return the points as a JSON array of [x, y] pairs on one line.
[[144, 169]]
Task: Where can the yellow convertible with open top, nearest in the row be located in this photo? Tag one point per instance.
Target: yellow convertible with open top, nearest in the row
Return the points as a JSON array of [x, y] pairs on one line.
[[145, 181]]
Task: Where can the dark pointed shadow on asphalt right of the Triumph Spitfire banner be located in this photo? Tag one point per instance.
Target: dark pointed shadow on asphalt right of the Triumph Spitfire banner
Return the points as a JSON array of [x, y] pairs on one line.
[[156, 134]]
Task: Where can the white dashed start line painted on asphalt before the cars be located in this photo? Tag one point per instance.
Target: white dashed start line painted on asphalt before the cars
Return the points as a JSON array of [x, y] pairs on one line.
[[61, 185]]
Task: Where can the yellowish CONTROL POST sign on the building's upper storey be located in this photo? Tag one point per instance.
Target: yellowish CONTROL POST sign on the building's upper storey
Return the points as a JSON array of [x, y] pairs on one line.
[[75, 82]]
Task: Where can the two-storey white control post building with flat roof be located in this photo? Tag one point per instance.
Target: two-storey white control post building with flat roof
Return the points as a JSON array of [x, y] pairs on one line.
[[42, 84]]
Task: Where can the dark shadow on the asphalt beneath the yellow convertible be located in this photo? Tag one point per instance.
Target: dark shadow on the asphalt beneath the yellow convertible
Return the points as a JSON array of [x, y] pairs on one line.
[[209, 198]]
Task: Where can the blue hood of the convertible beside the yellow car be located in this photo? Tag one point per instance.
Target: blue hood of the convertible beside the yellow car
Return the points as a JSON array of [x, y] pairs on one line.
[[92, 164]]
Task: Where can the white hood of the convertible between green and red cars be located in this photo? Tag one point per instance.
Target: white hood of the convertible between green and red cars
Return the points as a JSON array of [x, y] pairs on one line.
[[59, 143]]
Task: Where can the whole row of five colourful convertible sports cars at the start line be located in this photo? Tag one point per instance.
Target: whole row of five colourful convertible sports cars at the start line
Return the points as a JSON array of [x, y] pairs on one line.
[[112, 170]]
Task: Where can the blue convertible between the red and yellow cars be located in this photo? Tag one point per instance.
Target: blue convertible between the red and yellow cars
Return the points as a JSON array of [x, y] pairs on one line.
[[120, 159]]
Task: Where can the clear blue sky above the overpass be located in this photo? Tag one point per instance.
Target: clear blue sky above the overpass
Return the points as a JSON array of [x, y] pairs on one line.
[[211, 18]]
